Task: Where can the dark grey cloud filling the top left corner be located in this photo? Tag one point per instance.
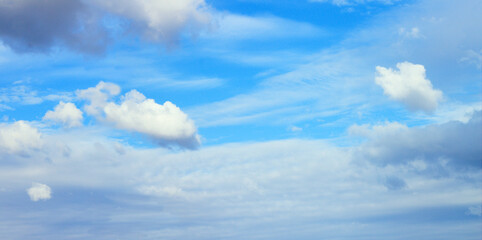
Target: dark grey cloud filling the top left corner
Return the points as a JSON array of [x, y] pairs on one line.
[[38, 25]]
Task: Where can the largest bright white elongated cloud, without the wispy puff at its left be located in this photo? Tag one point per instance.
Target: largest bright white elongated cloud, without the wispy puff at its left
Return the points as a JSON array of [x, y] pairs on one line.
[[166, 123]]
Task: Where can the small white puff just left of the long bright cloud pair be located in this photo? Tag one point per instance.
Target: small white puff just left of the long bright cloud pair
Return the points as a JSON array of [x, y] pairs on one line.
[[65, 113]]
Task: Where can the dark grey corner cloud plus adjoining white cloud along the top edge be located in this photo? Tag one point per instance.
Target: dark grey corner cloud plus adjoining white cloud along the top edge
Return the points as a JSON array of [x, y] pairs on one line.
[[40, 25]]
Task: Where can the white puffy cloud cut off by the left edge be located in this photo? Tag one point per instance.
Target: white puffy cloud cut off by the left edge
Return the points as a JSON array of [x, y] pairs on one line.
[[18, 137]]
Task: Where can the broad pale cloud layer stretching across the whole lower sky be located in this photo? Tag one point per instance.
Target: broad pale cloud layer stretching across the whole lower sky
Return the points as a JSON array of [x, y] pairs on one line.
[[295, 182]]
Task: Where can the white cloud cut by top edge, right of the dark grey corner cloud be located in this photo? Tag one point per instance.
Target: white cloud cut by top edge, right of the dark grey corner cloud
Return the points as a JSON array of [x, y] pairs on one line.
[[161, 20]]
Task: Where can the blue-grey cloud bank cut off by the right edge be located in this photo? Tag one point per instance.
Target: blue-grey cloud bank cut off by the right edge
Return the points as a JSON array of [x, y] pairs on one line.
[[454, 144]]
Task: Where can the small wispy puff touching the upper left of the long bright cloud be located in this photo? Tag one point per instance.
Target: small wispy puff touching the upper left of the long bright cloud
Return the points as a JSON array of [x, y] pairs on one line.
[[98, 96]]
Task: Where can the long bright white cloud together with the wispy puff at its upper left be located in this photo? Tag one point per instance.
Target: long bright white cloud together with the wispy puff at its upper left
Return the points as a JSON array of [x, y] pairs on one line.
[[165, 124]]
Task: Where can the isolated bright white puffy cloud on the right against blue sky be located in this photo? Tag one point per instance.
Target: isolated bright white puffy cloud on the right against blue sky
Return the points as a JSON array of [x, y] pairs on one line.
[[409, 86]]
